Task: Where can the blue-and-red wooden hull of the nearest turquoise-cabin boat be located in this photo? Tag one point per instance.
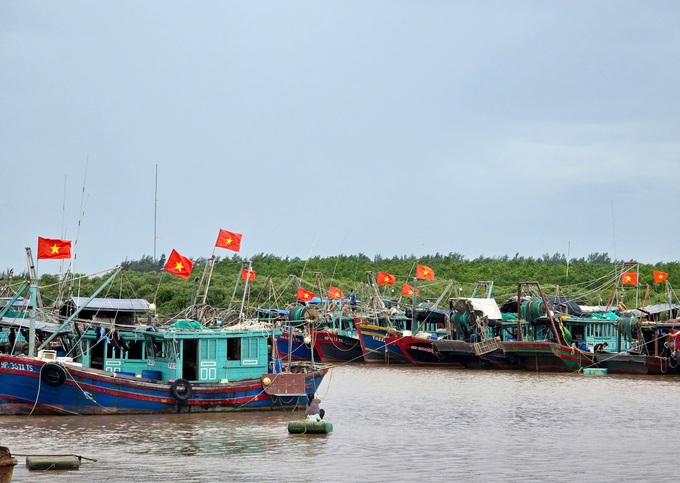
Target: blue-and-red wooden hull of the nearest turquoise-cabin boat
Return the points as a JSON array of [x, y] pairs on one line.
[[91, 391]]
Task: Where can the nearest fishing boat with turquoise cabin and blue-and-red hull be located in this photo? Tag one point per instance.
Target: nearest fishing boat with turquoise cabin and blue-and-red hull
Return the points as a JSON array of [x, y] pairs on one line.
[[185, 367]]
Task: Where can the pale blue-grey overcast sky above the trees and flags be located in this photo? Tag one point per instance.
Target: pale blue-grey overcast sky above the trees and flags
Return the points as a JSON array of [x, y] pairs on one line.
[[382, 127]]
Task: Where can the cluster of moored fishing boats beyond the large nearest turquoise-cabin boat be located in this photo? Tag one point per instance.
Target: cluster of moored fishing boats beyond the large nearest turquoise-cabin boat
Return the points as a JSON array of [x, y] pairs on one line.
[[540, 334]]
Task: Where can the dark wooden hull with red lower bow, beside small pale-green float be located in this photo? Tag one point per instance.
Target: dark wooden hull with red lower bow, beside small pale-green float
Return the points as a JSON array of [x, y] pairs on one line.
[[545, 356]]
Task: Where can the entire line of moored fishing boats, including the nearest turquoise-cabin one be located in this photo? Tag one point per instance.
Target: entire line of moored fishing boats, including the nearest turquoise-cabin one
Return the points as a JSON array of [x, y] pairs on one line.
[[113, 356]]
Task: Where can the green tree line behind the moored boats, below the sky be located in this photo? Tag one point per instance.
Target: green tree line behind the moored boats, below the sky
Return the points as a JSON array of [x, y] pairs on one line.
[[588, 279]]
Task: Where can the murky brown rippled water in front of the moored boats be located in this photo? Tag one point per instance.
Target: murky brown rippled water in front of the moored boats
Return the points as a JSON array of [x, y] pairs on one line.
[[391, 423]]
